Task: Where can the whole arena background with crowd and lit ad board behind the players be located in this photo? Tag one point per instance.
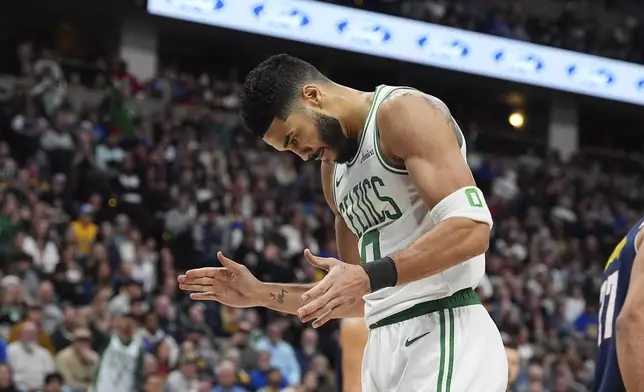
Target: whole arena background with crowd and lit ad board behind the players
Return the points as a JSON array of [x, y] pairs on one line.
[[123, 164]]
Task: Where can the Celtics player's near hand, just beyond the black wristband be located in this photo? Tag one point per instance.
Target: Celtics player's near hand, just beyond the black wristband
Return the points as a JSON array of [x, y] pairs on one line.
[[342, 288]]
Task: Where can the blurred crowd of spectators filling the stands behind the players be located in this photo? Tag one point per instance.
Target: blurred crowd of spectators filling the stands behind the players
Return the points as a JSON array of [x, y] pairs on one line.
[[103, 206]]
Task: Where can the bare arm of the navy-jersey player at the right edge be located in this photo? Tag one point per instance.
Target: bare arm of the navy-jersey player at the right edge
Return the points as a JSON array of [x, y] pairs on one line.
[[630, 326]]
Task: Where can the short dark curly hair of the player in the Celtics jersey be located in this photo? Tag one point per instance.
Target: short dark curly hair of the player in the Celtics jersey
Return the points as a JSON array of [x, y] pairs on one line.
[[272, 88]]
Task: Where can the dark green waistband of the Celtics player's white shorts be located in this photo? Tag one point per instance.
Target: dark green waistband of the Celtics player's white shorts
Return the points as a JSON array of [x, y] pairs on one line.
[[459, 299]]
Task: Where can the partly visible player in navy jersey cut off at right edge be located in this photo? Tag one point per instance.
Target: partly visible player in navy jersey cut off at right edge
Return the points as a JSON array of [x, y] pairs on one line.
[[620, 357]]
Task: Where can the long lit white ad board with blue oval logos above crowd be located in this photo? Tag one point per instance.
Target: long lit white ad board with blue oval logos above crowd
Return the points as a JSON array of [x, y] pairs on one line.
[[358, 30]]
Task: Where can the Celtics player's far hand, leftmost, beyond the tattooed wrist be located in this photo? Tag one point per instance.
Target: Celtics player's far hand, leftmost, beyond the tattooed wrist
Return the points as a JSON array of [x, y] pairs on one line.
[[231, 285]]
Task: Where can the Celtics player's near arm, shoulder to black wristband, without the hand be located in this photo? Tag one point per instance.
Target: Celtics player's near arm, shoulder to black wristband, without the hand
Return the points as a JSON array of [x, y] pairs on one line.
[[421, 135]]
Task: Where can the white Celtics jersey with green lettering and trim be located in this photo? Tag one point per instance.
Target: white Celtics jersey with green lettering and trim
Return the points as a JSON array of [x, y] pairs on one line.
[[382, 207]]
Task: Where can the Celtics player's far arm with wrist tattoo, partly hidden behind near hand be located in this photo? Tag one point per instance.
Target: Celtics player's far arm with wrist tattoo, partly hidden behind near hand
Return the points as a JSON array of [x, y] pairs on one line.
[[235, 286]]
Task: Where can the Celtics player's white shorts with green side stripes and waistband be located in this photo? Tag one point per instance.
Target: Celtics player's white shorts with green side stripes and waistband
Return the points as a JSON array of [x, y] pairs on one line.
[[446, 345]]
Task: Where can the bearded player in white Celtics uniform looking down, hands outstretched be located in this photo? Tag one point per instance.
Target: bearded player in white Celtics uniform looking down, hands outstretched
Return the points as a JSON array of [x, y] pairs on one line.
[[411, 226]]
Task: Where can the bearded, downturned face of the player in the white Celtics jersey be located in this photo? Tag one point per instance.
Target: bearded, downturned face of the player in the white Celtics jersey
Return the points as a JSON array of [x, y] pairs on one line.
[[312, 134]]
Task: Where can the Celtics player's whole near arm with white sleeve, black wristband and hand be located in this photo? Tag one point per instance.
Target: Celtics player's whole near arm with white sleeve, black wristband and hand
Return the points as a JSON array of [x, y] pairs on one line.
[[421, 135]]
